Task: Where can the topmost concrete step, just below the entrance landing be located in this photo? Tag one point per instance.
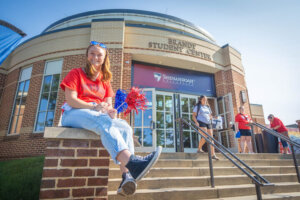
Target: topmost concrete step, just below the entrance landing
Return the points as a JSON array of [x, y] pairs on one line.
[[181, 155]]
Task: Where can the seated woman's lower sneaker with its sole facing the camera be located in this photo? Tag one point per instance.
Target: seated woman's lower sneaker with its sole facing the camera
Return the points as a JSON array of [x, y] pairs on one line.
[[127, 186]]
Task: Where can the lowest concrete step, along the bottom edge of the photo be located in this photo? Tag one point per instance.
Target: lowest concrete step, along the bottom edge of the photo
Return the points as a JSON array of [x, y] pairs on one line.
[[195, 193]]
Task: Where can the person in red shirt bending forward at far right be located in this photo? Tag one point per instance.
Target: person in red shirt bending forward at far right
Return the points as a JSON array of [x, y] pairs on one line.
[[277, 125]]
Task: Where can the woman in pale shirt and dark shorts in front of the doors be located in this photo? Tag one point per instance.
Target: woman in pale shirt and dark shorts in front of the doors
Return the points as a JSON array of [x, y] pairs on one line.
[[202, 116]]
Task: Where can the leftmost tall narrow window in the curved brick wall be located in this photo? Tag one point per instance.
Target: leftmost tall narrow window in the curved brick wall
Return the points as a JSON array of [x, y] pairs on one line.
[[20, 101]]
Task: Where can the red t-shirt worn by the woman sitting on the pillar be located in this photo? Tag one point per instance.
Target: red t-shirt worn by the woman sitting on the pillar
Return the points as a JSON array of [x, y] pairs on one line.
[[87, 90]]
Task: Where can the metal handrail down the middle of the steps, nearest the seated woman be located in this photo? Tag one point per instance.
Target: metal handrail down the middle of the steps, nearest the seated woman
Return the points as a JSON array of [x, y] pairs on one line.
[[257, 179]]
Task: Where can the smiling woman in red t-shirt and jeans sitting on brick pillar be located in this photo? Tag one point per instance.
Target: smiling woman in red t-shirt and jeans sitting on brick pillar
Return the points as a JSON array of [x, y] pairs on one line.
[[88, 105]]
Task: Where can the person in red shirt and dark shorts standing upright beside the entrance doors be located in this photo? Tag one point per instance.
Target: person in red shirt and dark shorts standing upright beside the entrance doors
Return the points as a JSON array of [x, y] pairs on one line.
[[242, 120]]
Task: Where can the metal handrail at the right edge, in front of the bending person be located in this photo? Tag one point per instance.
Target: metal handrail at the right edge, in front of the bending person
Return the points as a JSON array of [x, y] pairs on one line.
[[282, 137]]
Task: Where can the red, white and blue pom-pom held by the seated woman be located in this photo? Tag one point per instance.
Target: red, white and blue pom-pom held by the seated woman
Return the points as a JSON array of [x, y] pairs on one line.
[[134, 100]]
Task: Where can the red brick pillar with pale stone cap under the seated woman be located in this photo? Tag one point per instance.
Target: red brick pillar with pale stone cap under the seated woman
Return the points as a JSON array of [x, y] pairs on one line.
[[76, 165]]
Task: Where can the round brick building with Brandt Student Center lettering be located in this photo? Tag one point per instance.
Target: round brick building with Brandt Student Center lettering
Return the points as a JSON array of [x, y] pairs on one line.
[[173, 60]]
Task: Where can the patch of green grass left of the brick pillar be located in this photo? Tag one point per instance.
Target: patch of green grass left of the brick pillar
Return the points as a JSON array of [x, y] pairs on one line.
[[20, 179]]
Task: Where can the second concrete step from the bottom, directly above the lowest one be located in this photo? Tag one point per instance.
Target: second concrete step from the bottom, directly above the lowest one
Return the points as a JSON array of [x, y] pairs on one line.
[[197, 181]]
